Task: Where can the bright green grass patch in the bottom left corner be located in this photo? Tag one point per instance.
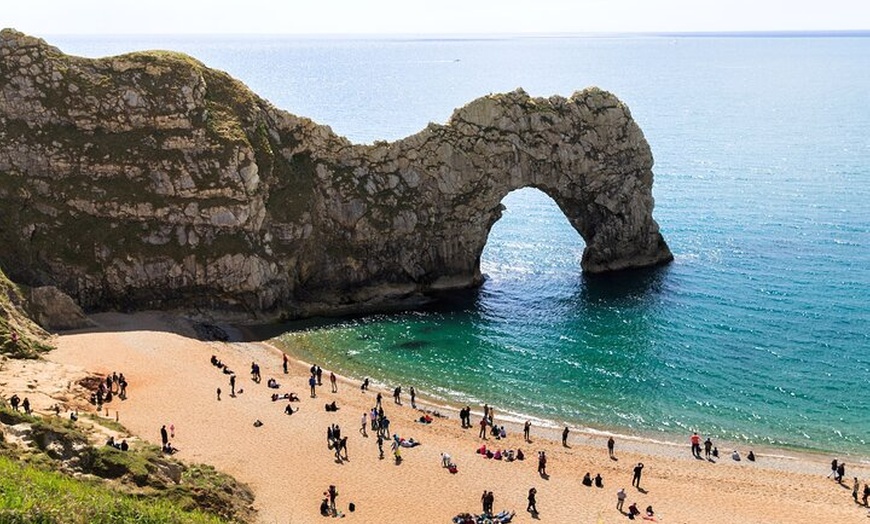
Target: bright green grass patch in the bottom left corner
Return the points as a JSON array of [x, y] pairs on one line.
[[30, 495]]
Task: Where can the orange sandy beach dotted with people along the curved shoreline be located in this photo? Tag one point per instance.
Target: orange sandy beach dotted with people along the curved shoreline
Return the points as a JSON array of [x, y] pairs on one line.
[[288, 465]]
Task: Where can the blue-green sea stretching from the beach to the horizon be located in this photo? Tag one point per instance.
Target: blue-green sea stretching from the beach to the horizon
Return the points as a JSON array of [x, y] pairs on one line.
[[758, 332]]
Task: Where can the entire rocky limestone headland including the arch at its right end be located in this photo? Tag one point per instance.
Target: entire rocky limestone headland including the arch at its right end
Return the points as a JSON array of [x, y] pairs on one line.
[[150, 180]]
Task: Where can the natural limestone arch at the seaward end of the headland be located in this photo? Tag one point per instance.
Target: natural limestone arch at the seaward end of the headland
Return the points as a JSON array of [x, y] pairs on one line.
[[585, 152]]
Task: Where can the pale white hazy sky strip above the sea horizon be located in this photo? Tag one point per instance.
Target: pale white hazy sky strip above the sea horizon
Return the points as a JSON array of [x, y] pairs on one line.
[[49, 17]]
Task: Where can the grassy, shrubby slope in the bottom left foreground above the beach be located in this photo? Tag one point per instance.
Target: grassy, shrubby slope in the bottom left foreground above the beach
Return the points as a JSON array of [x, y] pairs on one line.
[[50, 472]]
